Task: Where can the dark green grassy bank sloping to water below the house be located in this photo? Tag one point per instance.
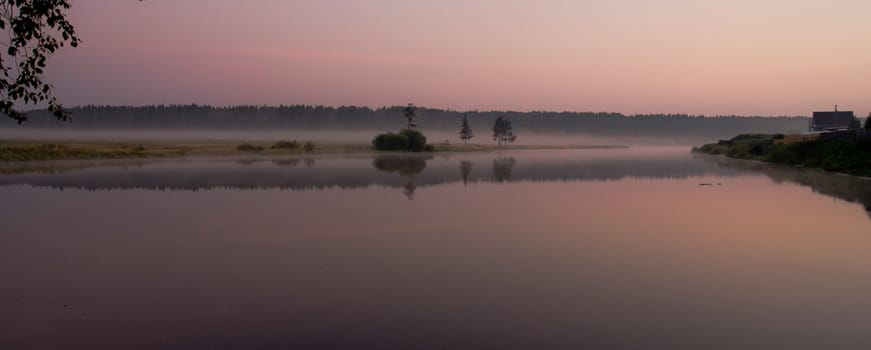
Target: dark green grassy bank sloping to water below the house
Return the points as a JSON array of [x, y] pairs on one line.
[[843, 155]]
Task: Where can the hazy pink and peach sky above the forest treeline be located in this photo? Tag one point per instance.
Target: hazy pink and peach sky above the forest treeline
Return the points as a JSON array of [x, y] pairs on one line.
[[762, 57]]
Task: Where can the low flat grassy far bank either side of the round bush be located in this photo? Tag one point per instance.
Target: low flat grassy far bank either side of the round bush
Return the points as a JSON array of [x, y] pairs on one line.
[[59, 150]]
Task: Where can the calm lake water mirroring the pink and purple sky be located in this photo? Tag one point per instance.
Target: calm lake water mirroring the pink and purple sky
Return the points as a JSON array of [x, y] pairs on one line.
[[602, 249]]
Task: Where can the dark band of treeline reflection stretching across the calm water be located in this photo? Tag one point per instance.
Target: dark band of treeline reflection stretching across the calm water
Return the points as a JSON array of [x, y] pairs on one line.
[[308, 173]]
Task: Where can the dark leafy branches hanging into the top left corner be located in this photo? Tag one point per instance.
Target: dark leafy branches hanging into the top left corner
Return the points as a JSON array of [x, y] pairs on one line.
[[36, 29]]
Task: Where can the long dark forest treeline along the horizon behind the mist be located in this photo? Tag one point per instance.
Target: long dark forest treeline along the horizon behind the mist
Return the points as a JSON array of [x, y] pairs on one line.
[[389, 118]]
